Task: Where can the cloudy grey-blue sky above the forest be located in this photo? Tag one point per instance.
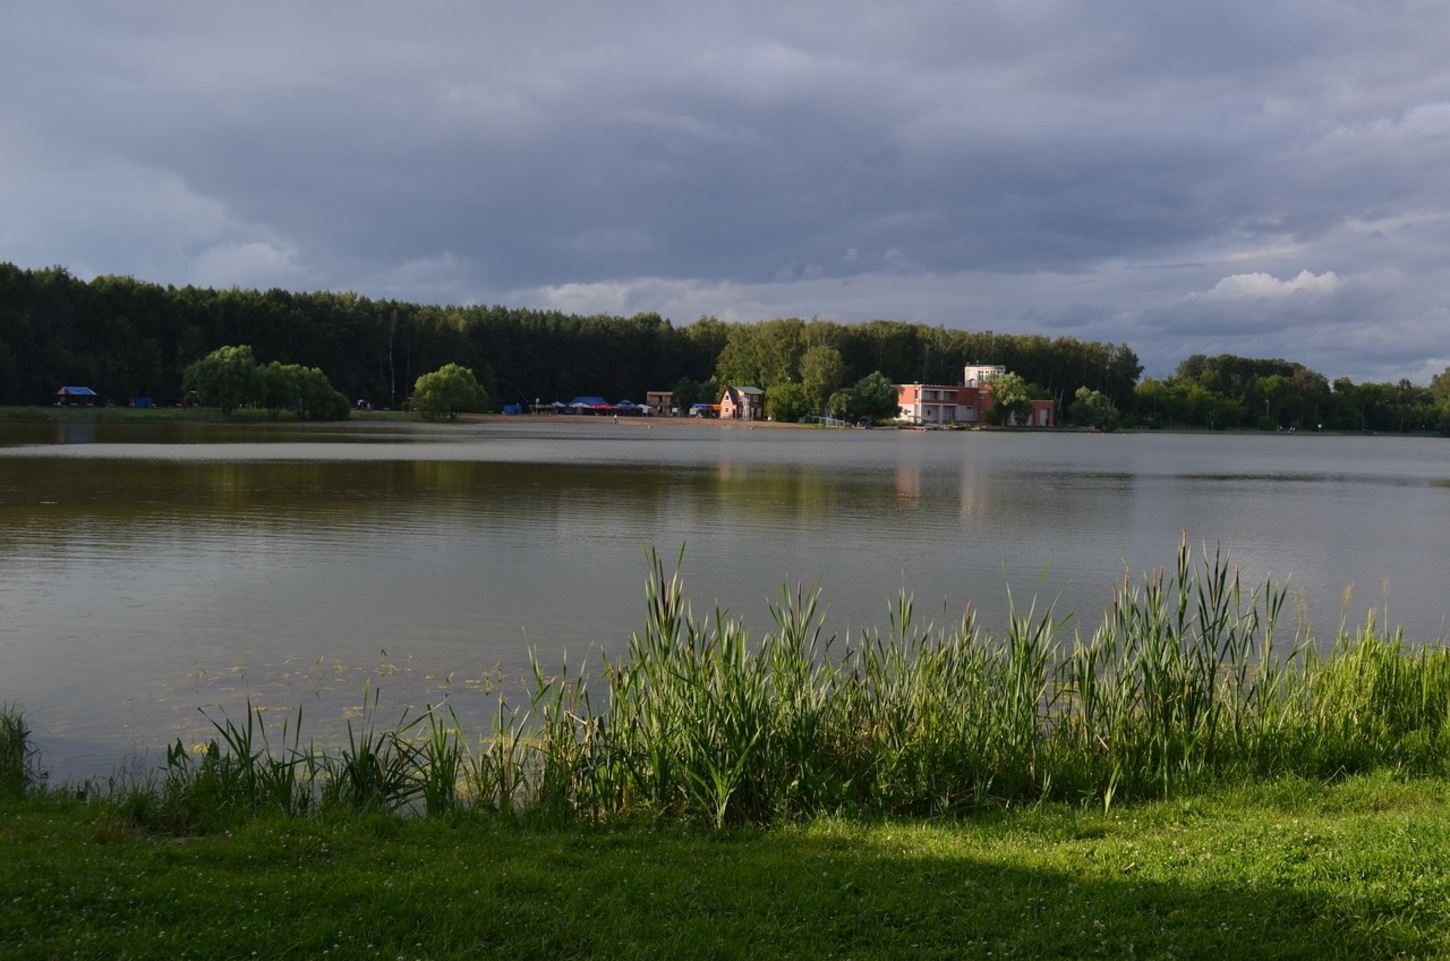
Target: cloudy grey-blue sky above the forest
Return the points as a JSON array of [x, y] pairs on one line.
[[1255, 178]]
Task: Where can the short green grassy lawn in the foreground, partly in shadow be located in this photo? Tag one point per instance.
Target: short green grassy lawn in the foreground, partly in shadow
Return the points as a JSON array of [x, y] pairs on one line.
[[1281, 870]]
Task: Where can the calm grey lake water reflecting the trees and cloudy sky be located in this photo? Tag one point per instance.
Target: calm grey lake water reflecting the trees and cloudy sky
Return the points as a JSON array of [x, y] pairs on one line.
[[149, 572]]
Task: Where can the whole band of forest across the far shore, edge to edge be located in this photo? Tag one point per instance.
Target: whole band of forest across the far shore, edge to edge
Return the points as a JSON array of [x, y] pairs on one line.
[[128, 338]]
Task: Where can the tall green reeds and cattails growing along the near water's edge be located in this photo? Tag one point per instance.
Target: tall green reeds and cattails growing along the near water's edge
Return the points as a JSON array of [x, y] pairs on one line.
[[1187, 681]]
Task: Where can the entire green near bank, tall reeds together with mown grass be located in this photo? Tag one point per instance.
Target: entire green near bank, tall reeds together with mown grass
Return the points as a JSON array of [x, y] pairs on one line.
[[1194, 779]]
